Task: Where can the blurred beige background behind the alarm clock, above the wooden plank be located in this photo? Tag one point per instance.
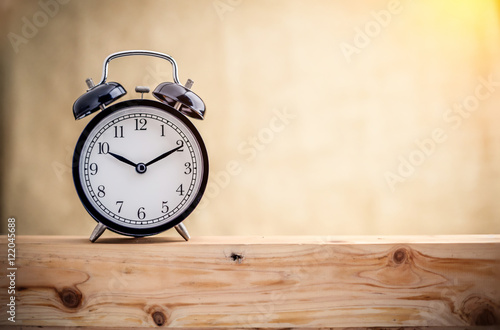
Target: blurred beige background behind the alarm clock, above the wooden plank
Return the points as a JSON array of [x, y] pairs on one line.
[[323, 117]]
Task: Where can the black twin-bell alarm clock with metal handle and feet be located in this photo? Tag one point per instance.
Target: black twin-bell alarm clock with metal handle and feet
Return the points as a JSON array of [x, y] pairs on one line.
[[140, 166]]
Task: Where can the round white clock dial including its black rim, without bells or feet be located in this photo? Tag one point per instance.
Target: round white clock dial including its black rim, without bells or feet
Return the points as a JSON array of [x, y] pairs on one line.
[[140, 167]]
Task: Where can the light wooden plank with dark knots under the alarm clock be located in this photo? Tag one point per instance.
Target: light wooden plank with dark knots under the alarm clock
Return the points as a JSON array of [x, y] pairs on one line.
[[267, 282]]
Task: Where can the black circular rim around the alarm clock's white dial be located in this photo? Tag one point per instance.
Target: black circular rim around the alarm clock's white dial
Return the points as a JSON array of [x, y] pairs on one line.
[[101, 218]]
